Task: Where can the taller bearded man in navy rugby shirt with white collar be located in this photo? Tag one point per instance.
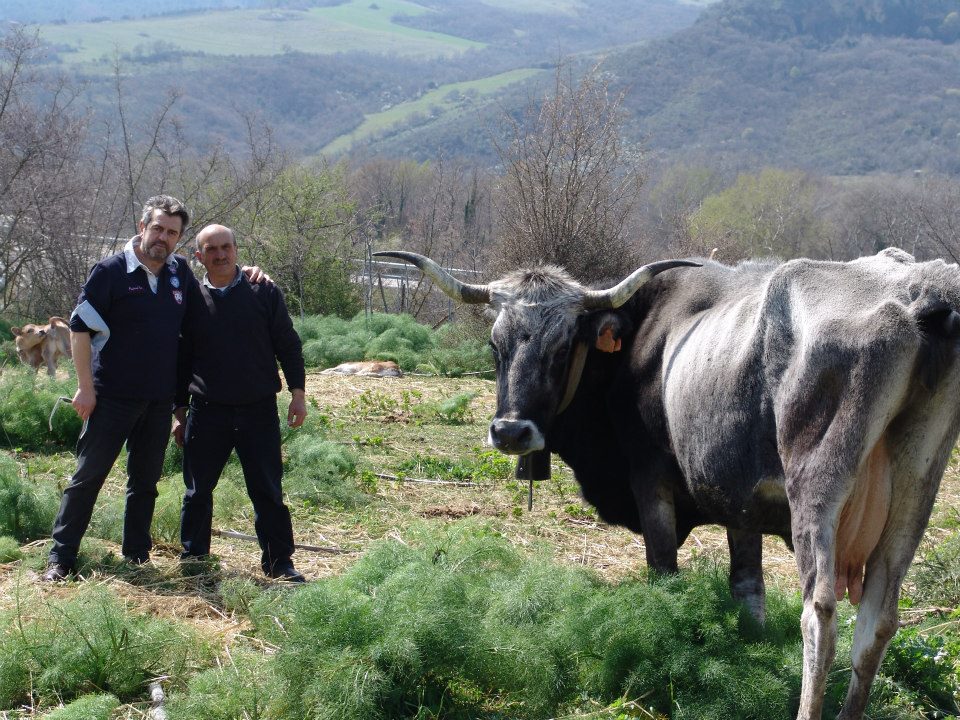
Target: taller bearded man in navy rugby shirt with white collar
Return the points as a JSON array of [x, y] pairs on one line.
[[124, 334]]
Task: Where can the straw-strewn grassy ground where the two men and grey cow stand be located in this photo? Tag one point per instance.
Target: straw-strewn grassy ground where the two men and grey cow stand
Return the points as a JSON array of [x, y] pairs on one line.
[[416, 478]]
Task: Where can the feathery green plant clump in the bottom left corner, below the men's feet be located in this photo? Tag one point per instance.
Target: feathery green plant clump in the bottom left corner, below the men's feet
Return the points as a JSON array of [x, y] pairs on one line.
[[58, 650]]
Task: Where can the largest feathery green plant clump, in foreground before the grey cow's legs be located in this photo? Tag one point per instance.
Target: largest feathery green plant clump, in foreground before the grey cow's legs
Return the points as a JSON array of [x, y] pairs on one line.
[[459, 624]]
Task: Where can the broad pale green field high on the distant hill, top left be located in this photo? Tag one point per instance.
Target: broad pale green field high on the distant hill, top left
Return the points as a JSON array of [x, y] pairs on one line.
[[357, 25]]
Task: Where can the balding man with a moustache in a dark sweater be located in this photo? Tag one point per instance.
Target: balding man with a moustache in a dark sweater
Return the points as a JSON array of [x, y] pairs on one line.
[[231, 343]]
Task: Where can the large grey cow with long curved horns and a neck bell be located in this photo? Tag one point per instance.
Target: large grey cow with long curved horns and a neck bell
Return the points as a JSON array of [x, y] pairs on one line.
[[815, 400]]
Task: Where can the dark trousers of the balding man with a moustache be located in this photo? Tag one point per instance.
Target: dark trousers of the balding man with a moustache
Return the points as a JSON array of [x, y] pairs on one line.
[[254, 431]]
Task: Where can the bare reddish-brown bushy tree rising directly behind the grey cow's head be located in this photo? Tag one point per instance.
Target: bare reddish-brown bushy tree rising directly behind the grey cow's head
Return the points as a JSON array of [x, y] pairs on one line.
[[569, 185]]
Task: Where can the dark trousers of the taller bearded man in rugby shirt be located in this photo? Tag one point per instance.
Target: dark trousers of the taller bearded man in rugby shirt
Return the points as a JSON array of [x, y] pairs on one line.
[[145, 426]]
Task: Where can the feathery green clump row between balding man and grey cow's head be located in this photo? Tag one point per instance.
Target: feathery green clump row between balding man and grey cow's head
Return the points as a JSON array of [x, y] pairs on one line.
[[452, 350]]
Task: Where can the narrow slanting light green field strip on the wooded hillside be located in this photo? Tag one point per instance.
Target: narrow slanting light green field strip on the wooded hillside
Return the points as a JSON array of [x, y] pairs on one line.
[[446, 100]]
